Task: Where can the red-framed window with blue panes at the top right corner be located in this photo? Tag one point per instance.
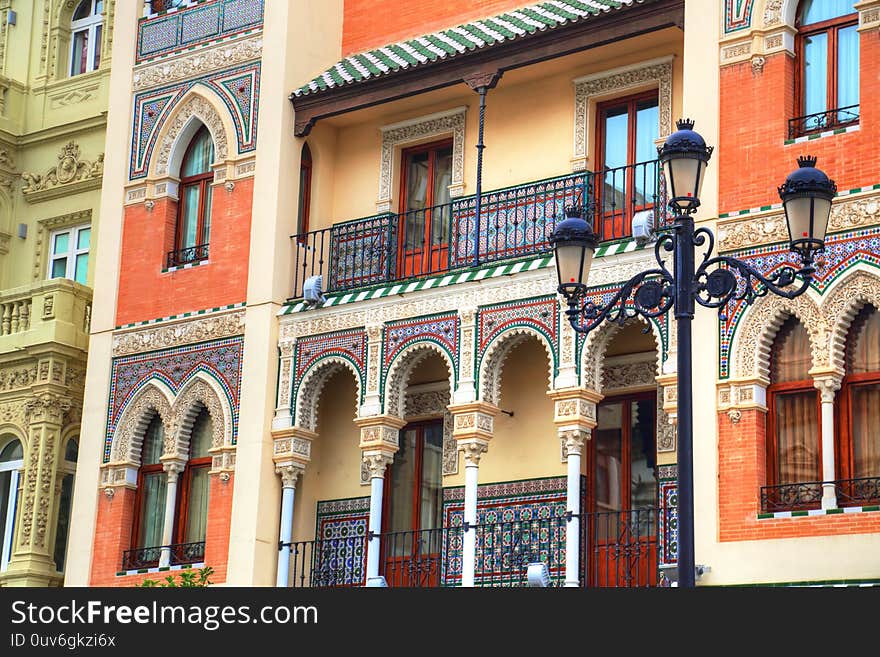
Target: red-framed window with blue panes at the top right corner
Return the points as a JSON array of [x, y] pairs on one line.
[[828, 51]]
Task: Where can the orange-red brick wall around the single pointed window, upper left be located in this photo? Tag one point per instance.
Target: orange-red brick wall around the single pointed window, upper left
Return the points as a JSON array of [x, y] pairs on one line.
[[145, 292]]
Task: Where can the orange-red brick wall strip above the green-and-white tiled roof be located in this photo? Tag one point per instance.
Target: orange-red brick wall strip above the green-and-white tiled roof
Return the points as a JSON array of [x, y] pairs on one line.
[[370, 24]]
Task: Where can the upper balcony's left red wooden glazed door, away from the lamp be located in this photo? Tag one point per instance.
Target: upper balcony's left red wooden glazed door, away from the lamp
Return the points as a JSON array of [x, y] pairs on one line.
[[425, 209]]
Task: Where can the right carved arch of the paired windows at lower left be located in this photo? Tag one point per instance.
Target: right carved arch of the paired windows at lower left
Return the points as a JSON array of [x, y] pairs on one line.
[[201, 391]]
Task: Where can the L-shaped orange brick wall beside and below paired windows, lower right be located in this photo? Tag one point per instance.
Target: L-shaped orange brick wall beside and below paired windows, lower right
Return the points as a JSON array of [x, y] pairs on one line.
[[742, 472]]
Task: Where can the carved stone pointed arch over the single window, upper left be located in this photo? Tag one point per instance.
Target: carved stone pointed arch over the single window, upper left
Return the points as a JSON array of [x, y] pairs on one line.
[[199, 106]]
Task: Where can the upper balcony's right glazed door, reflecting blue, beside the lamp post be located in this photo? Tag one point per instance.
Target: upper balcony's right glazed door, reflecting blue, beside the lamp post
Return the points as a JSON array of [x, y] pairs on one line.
[[627, 129]]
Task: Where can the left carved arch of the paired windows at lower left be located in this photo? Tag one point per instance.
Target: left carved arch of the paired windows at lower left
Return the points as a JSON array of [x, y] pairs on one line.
[[153, 398]]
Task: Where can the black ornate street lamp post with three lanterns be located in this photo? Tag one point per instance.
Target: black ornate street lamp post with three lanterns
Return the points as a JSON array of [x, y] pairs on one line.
[[806, 196]]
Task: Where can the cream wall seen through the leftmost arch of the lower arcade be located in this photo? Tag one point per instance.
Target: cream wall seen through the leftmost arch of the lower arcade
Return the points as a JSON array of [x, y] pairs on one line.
[[335, 470]]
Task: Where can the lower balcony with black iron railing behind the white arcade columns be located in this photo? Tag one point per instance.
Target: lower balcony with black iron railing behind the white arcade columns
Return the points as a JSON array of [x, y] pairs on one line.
[[618, 549]]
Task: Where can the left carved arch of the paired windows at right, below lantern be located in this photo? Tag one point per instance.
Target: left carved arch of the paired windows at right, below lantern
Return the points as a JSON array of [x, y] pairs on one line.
[[751, 344]]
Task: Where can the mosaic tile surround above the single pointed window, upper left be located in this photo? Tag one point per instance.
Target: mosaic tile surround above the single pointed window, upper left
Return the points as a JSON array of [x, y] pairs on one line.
[[239, 88]]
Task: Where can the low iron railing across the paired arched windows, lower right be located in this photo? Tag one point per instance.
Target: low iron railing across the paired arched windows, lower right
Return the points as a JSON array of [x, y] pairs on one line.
[[808, 495]]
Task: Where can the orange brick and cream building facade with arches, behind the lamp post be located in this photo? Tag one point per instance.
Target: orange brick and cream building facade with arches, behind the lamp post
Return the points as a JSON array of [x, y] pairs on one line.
[[327, 345]]
